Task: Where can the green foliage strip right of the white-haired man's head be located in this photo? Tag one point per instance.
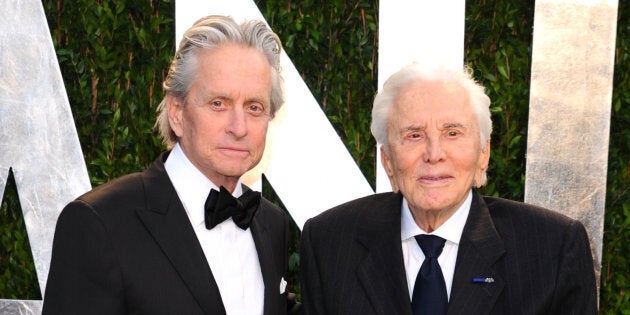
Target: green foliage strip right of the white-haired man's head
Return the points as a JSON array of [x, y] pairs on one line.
[[498, 50]]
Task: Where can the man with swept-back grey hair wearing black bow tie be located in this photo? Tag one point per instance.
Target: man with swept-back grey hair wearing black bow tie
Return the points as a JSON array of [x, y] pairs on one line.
[[174, 239]]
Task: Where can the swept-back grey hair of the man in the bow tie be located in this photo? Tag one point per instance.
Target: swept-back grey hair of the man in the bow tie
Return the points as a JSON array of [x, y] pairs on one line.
[[209, 33]]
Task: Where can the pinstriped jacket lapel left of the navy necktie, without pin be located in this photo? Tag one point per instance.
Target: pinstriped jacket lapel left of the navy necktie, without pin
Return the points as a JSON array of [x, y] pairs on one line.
[[382, 271]]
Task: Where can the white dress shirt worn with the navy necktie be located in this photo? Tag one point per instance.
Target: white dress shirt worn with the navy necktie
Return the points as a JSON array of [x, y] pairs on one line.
[[451, 230]]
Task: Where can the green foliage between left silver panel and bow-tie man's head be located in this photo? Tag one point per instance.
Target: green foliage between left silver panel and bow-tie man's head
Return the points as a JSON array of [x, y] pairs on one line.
[[113, 57]]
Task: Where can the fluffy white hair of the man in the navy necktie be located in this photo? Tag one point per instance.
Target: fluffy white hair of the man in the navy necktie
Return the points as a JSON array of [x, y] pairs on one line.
[[414, 73]]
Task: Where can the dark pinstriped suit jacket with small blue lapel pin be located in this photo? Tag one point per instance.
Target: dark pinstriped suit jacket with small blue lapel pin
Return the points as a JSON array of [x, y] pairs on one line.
[[351, 261]]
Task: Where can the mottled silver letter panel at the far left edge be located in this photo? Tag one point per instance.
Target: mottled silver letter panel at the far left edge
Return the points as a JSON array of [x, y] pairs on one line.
[[38, 139]]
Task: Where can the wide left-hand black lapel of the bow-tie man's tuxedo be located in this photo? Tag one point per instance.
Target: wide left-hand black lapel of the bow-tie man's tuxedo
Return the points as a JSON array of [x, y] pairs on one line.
[[166, 220]]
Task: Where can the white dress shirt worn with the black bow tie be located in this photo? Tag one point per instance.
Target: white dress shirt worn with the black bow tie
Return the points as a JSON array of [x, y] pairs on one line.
[[230, 251]]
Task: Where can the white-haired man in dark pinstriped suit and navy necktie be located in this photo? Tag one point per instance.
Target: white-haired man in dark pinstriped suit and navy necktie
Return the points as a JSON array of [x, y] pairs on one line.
[[435, 245]]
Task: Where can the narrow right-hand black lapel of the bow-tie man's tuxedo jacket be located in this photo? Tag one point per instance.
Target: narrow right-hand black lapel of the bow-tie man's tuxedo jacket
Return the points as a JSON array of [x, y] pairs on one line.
[[264, 248]]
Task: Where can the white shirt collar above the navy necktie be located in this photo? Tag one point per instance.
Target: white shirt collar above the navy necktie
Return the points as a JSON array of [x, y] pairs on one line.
[[451, 230]]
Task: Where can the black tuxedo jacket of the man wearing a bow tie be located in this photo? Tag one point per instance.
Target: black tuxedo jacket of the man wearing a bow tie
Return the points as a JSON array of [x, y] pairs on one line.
[[128, 247]]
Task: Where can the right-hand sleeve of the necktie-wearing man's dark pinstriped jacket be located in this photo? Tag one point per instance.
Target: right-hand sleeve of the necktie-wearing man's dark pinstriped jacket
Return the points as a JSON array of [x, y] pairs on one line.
[[577, 290]]
